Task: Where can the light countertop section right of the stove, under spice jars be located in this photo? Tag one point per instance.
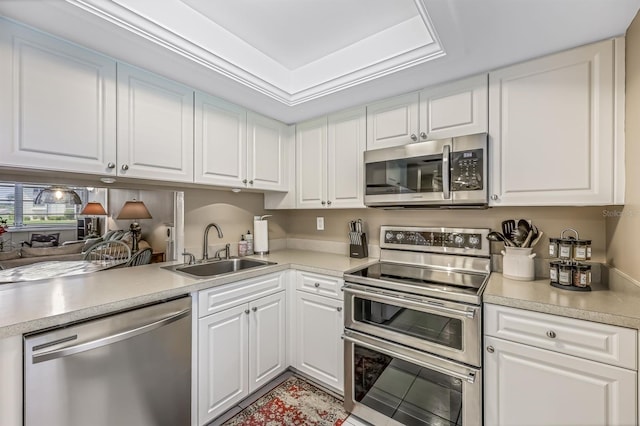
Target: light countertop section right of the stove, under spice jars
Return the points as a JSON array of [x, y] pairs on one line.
[[602, 304]]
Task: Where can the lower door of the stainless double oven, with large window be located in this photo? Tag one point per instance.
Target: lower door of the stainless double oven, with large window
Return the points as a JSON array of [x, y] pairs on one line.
[[389, 384]]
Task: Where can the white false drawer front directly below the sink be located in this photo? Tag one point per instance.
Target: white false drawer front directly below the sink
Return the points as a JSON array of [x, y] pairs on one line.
[[217, 299]]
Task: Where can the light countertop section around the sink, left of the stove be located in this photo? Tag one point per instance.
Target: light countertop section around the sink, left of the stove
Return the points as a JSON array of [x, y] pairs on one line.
[[37, 305]]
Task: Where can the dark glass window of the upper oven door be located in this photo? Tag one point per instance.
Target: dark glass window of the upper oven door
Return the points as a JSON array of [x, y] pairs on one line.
[[438, 329]]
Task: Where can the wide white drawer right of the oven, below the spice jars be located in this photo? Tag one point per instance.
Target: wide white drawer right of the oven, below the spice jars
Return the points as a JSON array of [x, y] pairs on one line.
[[598, 342]]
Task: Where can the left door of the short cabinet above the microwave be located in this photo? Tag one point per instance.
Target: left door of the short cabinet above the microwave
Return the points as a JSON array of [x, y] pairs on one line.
[[393, 122]]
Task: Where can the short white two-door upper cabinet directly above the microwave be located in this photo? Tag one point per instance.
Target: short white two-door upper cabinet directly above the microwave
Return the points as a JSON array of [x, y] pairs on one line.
[[447, 110]]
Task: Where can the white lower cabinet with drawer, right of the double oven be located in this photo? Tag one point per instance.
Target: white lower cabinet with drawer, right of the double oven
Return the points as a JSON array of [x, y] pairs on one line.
[[531, 380]]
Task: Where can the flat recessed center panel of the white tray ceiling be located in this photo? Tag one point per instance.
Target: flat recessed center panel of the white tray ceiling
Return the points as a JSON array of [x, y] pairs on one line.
[[298, 32]]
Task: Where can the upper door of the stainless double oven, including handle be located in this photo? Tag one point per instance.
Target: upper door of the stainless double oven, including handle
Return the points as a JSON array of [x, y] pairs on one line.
[[448, 329]]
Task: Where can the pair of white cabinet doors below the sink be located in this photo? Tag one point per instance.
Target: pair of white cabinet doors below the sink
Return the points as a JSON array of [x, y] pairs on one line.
[[239, 350]]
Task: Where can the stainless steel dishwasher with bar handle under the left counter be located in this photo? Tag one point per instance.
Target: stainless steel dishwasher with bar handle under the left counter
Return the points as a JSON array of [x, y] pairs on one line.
[[131, 368]]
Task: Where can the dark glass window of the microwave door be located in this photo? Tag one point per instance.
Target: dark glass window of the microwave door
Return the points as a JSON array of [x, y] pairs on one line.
[[408, 175]]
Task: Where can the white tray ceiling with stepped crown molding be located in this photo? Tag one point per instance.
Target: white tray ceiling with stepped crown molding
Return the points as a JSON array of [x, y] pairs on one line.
[[295, 59]]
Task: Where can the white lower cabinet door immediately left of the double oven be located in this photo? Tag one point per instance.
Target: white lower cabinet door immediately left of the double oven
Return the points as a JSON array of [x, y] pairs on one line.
[[319, 323]]
